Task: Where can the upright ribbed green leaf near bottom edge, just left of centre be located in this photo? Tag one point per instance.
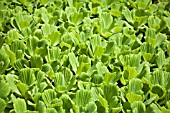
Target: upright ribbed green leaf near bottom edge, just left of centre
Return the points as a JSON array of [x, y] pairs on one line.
[[83, 97]]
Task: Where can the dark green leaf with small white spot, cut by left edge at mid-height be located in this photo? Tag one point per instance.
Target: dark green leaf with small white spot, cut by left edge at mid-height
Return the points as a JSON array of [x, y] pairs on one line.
[[4, 62]]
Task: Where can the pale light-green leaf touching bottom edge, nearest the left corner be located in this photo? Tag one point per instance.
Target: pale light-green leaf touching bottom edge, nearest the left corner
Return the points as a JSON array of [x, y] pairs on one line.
[[19, 105]]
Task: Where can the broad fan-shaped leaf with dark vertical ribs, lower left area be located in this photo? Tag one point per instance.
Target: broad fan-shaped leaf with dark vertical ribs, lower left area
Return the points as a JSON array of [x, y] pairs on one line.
[[27, 76]]
